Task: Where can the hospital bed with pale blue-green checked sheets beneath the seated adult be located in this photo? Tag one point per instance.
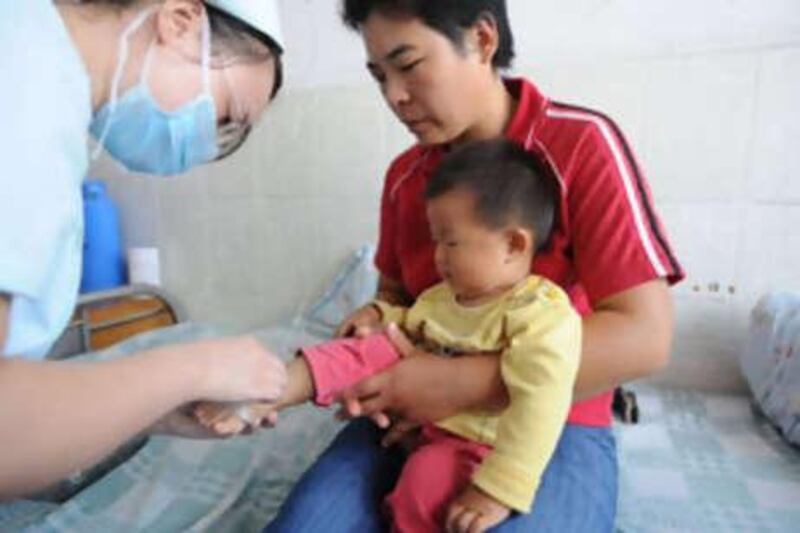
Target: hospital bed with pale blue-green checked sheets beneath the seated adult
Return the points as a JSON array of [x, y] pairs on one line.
[[695, 461]]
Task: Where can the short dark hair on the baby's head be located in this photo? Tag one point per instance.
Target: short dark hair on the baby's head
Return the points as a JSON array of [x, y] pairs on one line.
[[510, 184]]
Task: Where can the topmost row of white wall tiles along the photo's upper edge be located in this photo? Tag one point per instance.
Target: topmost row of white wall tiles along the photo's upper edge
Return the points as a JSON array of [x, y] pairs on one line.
[[322, 52]]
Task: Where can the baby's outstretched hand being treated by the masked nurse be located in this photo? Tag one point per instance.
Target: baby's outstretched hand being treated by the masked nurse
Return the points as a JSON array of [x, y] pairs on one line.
[[228, 419]]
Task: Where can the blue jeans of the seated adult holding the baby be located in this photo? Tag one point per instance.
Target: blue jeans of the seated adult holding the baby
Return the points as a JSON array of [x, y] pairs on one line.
[[344, 490]]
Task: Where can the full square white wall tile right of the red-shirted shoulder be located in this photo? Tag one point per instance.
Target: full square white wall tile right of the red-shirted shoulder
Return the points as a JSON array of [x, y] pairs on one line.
[[699, 115]]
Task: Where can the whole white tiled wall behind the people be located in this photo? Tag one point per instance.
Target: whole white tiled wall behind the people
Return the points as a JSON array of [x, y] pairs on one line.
[[709, 102]]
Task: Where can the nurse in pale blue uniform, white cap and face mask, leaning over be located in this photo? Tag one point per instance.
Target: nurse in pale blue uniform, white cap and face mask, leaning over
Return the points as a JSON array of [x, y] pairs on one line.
[[163, 86]]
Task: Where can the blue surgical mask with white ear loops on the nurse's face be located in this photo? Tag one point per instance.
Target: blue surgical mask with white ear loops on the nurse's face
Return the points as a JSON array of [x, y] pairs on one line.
[[144, 137]]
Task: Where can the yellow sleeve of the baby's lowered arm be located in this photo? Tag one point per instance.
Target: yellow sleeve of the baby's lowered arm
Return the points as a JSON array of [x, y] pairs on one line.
[[538, 369]]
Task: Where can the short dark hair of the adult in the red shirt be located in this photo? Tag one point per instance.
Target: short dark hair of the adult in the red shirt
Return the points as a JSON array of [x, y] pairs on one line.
[[448, 17]]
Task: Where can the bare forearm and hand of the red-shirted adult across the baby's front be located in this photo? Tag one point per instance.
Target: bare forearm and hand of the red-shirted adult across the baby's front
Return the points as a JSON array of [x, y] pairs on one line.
[[424, 387]]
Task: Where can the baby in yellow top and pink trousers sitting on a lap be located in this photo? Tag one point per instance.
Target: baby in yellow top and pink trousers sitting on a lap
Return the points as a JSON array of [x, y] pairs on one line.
[[490, 206]]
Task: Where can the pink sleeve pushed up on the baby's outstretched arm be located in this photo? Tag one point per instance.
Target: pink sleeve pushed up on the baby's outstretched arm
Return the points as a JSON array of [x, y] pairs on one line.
[[340, 363]]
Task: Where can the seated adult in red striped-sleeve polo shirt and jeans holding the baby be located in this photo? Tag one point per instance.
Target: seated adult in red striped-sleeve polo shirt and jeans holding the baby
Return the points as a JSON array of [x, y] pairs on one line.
[[438, 66]]
